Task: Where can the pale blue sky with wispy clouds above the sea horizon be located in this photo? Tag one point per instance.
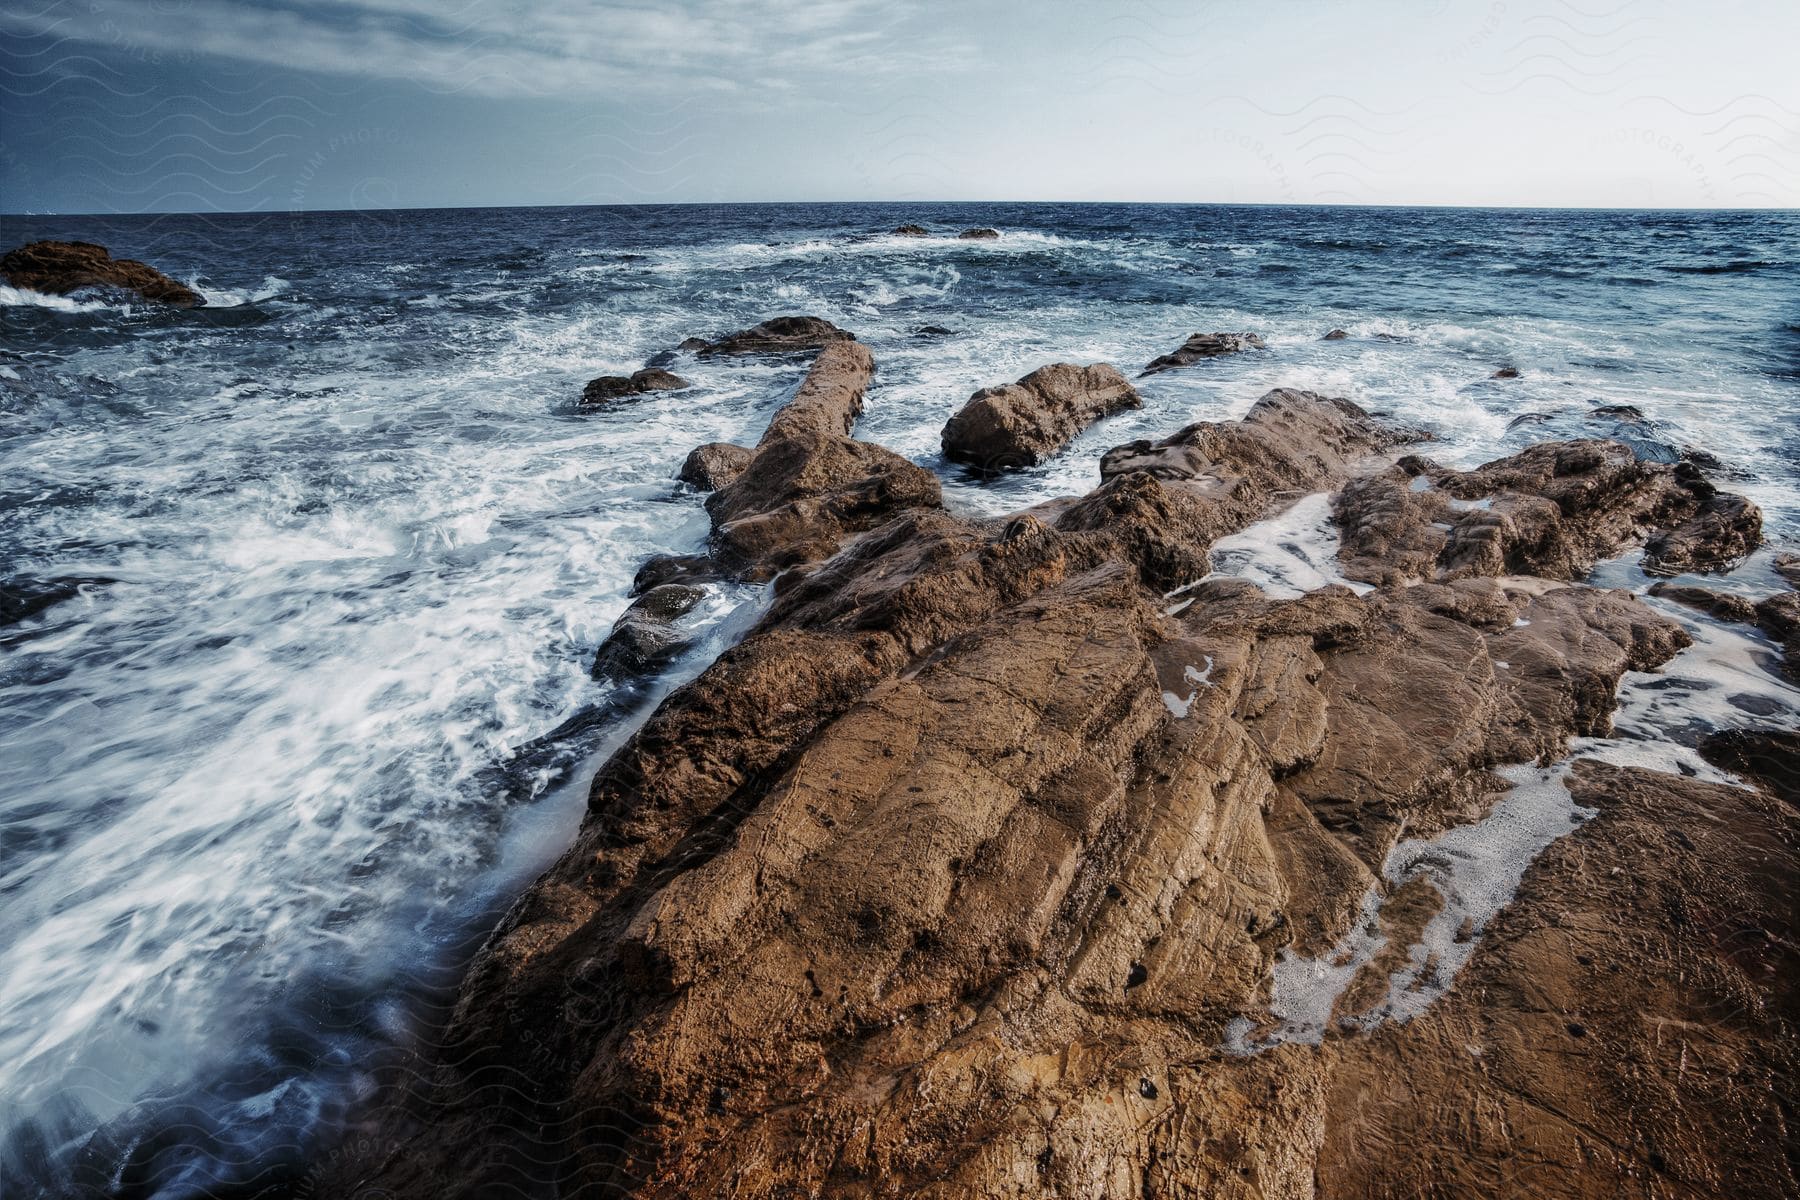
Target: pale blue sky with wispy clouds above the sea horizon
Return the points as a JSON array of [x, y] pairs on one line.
[[291, 105]]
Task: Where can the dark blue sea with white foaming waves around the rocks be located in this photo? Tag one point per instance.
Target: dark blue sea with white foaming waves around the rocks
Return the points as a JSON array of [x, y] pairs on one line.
[[337, 546]]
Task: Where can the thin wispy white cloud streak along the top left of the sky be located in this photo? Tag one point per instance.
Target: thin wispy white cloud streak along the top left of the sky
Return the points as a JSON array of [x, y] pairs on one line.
[[494, 48]]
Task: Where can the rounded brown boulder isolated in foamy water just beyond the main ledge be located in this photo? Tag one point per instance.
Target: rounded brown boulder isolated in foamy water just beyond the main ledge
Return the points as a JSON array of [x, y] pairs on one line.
[[1021, 424]]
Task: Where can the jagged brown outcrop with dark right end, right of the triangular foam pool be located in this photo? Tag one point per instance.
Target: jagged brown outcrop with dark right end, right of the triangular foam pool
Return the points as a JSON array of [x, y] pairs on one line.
[[1552, 512]]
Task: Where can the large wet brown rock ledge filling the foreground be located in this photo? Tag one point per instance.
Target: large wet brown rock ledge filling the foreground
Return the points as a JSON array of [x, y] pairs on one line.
[[955, 875]]
